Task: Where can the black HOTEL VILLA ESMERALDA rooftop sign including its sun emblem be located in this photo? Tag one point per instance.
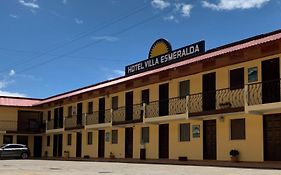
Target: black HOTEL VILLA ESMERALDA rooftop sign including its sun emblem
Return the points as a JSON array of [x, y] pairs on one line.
[[169, 57]]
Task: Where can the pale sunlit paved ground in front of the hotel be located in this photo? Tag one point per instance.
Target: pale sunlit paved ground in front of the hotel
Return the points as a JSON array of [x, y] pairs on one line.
[[46, 167]]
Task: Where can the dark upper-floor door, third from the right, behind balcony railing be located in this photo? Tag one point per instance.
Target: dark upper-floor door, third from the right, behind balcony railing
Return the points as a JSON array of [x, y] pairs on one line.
[[164, 99]]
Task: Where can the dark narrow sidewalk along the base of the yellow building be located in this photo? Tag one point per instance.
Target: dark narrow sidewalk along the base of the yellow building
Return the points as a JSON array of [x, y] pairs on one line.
[[255, 165]]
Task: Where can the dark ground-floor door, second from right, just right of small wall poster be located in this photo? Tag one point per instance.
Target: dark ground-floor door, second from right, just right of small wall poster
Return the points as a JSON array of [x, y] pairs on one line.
[[209, 140]]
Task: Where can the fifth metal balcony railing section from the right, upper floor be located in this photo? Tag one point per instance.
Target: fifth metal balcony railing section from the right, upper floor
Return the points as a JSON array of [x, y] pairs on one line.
[[99, 117]]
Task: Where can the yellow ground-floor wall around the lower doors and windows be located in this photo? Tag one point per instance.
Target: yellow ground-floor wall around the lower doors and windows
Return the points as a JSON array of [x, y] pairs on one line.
[[250, 147]]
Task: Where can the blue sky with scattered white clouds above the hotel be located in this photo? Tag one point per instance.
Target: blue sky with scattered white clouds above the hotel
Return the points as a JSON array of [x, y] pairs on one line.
[[49, 47]]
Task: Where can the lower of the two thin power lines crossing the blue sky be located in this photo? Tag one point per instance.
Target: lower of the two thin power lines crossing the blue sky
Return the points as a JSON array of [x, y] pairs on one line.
[[92, 43]]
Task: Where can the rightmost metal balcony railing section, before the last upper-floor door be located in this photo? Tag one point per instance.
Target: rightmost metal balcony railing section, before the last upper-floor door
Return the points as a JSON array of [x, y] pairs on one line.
[[263, 92]]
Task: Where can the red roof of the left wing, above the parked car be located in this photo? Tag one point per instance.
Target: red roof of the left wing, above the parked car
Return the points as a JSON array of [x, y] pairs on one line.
[[17, 101]]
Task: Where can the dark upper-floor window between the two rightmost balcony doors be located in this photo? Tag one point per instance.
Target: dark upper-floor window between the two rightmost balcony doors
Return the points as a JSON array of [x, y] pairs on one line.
[[237, 78]]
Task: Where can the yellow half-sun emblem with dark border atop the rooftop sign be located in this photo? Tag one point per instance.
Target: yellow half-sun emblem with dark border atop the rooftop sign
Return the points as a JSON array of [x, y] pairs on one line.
[[159, 47]]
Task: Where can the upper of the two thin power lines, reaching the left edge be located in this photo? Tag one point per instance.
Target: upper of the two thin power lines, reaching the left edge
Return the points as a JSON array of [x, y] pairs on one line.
[[80, 36]]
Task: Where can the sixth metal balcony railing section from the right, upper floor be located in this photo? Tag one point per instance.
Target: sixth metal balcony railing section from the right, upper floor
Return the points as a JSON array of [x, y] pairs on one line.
[[75, 121]]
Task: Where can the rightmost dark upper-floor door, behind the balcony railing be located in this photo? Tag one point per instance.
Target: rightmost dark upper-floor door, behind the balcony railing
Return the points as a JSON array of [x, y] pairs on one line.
[[271, 81]]
